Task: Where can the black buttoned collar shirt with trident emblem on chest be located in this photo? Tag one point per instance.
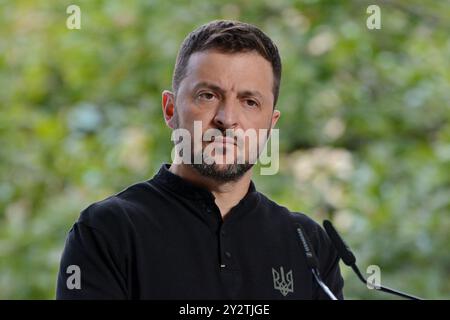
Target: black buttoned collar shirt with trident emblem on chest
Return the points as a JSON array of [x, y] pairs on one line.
[[165, 239]]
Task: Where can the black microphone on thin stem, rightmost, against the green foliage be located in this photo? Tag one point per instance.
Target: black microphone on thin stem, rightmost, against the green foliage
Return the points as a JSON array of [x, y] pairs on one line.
[[349, 259]]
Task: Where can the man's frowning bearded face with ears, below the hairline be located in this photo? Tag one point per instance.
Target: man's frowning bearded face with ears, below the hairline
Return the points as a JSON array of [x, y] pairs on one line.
[[226, 92]]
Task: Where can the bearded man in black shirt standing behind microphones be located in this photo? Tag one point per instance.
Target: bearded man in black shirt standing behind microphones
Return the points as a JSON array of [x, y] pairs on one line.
[[199, 229]]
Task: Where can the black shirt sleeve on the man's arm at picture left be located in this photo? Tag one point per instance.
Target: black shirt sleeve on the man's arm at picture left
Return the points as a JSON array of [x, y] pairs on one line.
[[89, 268]]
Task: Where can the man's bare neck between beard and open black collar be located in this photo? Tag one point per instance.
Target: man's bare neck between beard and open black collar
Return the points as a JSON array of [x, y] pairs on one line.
[[227, 194]]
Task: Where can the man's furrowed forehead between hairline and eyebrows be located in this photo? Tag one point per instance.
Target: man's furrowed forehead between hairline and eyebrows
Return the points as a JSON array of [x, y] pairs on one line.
[[231, 71]]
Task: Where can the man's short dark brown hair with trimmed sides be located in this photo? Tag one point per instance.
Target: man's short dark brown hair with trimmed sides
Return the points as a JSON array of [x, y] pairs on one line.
[[229, 37]]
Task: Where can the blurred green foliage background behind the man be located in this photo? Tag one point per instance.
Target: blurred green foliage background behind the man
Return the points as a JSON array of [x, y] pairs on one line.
[[365, 135]]
